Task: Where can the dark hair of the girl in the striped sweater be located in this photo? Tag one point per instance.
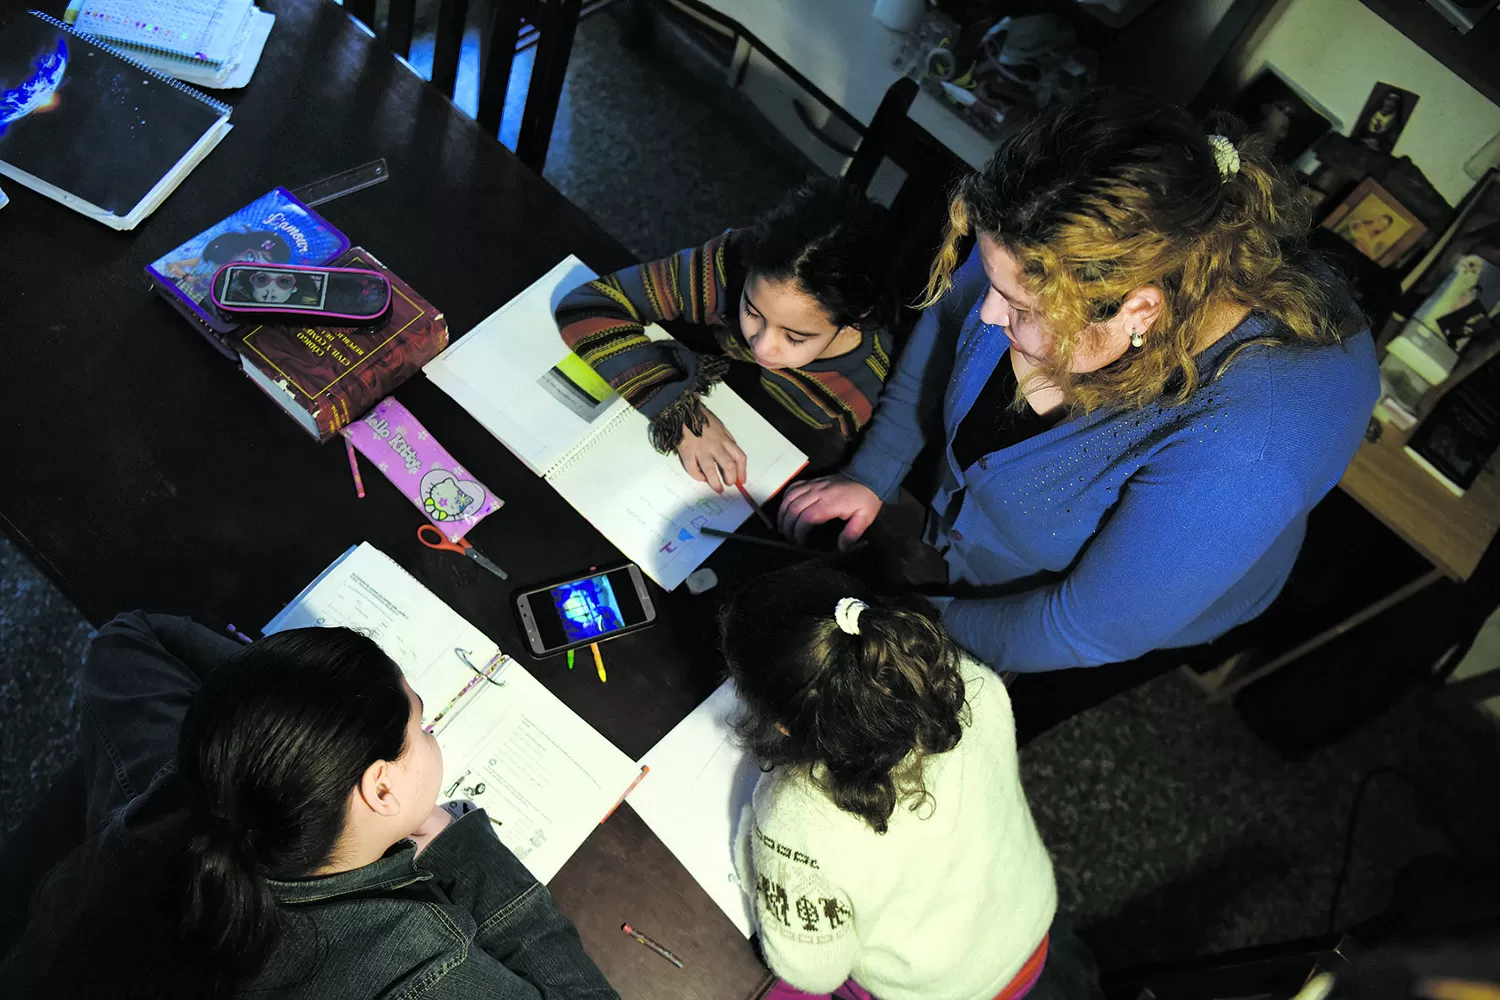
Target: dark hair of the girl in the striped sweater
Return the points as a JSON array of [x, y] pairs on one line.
[[833, 242]]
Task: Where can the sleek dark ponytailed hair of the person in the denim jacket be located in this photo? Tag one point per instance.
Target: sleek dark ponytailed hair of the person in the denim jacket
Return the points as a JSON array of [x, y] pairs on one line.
[[271, 749]]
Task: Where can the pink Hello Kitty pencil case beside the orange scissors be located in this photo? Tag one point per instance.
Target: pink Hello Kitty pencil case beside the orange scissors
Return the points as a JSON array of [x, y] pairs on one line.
[[422, 469]]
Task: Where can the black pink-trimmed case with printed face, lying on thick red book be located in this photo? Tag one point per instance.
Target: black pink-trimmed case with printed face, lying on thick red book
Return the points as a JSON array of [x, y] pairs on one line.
[[323, 296]]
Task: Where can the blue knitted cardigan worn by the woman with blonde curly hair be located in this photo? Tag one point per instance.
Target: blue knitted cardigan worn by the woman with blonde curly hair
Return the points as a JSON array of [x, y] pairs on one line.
[[1121, 531]]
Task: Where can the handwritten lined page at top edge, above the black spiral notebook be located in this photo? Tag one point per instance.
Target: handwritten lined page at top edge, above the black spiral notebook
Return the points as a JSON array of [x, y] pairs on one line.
[[200, 31]]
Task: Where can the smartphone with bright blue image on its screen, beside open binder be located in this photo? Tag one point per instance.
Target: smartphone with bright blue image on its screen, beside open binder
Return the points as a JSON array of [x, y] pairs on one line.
[[586, 609]]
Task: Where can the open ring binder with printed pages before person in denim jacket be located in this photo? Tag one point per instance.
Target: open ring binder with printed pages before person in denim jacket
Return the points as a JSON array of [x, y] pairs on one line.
[[545, 774]]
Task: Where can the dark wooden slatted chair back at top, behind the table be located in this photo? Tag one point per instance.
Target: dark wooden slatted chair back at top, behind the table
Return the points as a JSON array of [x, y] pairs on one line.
[[556, 23]]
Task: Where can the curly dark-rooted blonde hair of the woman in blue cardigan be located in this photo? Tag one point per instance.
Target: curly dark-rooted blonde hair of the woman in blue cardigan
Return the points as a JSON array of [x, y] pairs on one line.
[[1123, 191]]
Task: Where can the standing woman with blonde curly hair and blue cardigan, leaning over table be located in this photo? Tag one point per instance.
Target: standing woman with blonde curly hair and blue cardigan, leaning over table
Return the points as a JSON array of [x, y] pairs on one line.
[[1147, 382]]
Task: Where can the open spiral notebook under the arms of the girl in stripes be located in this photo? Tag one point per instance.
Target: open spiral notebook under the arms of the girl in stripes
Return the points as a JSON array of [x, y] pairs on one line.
[[515, 376]]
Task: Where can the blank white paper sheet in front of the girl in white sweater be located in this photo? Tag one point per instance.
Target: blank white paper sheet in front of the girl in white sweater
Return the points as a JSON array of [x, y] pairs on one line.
[[692, 798]]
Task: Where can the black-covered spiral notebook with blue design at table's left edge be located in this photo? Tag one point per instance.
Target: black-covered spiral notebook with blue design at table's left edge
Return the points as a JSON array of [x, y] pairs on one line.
[[92, 130]]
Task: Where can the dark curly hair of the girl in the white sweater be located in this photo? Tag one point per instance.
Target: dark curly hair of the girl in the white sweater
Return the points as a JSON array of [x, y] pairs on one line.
[[853, 707]]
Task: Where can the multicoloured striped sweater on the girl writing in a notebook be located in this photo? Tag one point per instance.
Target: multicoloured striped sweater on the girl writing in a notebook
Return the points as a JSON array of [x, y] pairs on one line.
[[604, 322]]
